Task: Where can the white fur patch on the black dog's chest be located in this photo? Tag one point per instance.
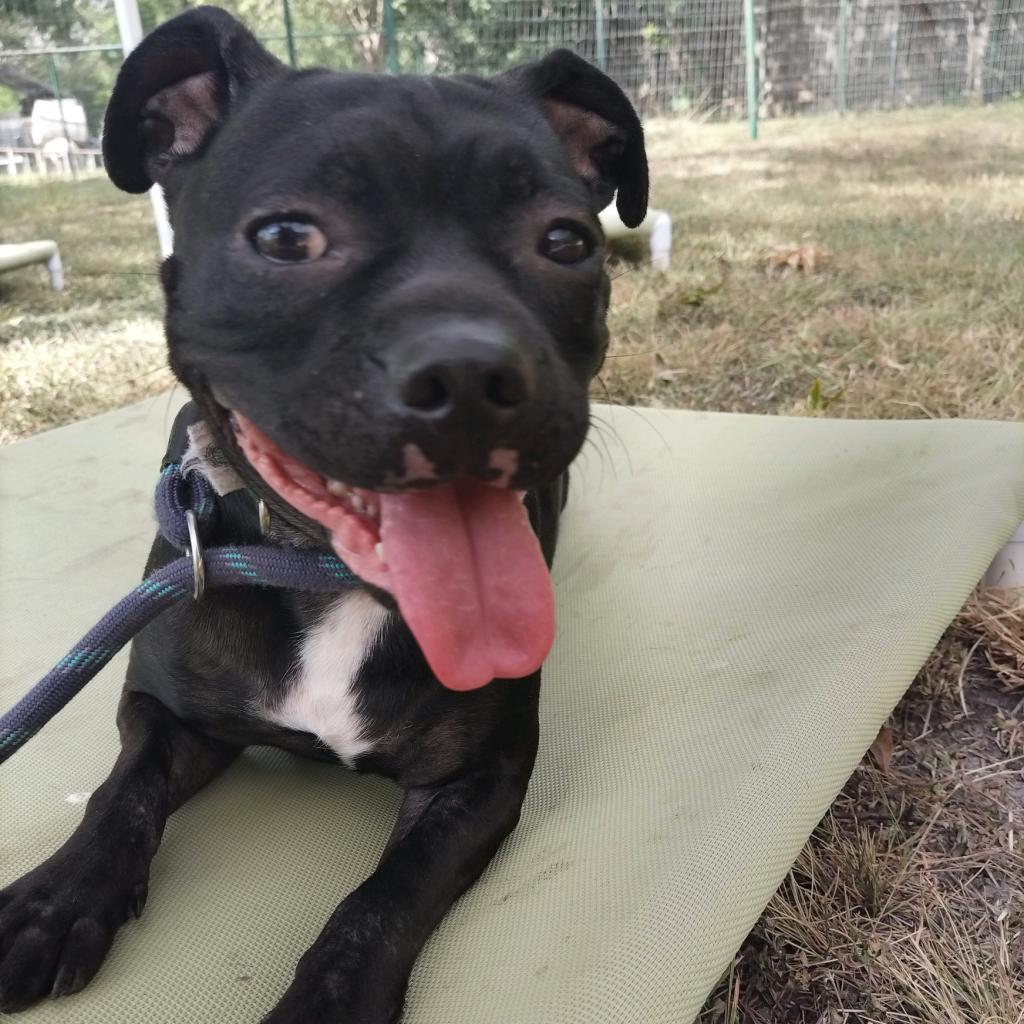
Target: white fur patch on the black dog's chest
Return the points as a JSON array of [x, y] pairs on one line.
[[321, 698]]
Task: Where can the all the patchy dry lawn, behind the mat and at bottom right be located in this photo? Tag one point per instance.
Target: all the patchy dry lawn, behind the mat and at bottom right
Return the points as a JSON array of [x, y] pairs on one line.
[[867, 268]]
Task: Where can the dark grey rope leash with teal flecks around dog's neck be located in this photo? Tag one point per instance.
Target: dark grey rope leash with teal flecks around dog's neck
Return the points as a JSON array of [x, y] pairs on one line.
[[185, 506]]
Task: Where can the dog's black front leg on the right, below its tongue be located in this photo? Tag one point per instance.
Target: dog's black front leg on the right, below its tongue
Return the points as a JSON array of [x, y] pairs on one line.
[[358, 970]]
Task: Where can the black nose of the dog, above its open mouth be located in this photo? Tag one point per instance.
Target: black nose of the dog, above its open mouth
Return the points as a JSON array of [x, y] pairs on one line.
[[461, 369]]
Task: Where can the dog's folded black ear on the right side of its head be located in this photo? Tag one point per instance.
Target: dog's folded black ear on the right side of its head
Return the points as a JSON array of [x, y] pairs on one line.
[[596, 122]]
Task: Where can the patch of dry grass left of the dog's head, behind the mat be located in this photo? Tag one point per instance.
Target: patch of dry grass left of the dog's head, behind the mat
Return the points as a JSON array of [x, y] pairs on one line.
[[100, 344]]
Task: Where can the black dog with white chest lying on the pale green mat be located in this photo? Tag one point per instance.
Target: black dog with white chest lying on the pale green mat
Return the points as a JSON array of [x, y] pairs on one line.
[[388, 301]]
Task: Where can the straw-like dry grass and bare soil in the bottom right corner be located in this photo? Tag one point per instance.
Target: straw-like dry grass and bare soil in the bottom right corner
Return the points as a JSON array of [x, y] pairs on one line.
[[908, 905]]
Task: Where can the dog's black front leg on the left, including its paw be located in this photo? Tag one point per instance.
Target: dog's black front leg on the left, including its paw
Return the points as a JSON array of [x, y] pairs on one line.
[[58, 922]]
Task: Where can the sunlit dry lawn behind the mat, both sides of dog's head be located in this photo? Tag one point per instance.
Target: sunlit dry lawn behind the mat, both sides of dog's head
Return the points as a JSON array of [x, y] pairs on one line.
[[913, 309]]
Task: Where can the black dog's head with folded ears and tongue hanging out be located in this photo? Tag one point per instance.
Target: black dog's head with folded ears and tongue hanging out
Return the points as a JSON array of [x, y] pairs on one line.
[[389, 297]]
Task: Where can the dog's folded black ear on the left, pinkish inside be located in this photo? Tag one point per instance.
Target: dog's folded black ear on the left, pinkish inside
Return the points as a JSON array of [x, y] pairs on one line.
[[175, 91]]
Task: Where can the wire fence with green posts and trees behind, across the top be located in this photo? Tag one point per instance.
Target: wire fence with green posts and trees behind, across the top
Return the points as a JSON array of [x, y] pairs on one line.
[[672, 57]]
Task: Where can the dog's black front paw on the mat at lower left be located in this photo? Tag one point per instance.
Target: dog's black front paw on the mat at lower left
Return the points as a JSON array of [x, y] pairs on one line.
[[57, 925]]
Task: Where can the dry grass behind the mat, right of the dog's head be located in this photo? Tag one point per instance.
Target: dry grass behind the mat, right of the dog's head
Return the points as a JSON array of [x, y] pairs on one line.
[[915, 308]]
